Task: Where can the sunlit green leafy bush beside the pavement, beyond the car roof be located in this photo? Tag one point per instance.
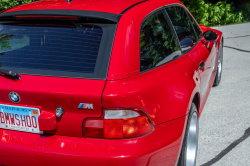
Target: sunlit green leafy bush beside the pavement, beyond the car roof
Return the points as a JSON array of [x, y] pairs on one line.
[[207, 13]]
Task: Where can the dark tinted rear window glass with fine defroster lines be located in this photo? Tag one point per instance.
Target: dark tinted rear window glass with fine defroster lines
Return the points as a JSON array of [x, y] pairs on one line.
[[67, 49]]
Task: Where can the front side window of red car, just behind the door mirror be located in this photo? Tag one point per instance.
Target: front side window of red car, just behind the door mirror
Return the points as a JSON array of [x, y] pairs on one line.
[[183, 27]]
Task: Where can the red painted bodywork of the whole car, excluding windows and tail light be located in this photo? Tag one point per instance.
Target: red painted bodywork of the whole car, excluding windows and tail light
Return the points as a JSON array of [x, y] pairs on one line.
[[164, 93]]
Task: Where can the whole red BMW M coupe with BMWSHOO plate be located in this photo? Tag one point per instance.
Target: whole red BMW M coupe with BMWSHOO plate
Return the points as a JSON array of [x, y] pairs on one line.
[[104, 82]]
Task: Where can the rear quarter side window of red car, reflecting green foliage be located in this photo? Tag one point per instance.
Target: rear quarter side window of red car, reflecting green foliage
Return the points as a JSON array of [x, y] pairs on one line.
[[158, 44]]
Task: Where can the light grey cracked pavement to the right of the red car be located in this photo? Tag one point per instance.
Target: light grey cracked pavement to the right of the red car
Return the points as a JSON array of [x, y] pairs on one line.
[[224, 136]]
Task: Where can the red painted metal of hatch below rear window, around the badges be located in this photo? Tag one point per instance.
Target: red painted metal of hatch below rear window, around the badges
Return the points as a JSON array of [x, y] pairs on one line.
[[48, 93]]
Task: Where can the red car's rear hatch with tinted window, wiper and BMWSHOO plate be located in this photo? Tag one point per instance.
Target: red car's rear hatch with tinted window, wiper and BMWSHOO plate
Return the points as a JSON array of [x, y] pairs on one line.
[[63, 63]]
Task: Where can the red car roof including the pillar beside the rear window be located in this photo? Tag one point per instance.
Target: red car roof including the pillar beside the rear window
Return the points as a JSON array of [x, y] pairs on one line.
[[129, 13]]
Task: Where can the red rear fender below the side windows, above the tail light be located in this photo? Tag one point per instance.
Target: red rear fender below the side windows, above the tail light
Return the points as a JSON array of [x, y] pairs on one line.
[[164, 93]]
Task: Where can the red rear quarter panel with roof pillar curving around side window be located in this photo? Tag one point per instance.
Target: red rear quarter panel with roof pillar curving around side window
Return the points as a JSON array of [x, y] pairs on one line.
[[165, 93]]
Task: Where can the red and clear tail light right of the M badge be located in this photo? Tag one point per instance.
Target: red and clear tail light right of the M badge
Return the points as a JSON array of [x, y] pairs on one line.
[[118, 124]]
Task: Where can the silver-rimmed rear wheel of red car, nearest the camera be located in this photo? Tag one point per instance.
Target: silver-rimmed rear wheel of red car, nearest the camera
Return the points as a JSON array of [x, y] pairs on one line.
[[190, 142]]
